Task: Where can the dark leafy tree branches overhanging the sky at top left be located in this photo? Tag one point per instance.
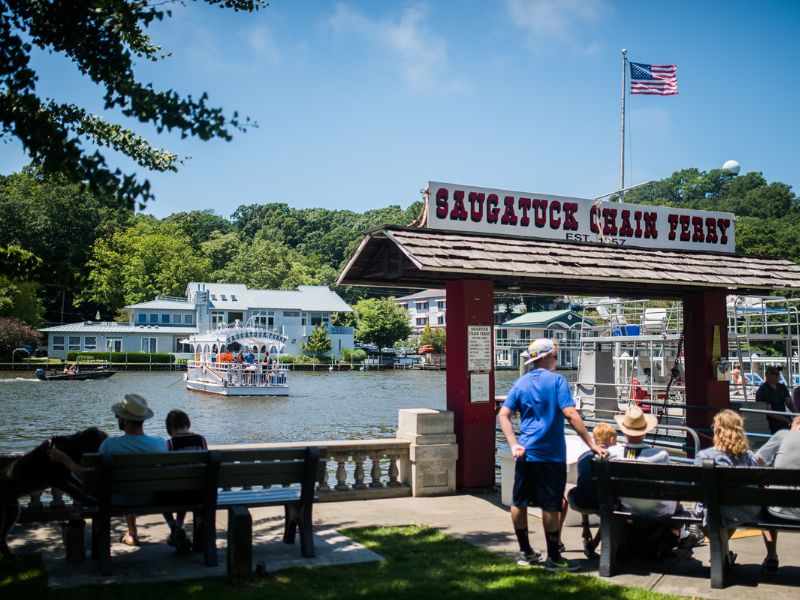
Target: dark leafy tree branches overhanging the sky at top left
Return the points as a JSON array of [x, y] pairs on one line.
[[104, 40]]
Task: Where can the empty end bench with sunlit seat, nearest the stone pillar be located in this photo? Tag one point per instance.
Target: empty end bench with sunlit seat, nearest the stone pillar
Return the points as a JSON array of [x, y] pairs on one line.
[[246, 477]]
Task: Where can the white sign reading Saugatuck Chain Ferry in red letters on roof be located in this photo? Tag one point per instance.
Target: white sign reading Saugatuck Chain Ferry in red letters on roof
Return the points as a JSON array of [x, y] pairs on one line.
[[483, 210]]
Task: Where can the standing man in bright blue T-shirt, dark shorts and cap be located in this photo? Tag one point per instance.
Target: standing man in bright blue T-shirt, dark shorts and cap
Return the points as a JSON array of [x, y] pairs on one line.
[[543, 400]]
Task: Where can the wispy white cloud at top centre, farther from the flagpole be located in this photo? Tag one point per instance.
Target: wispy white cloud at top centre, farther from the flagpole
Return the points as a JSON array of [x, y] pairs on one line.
[[421, 55]]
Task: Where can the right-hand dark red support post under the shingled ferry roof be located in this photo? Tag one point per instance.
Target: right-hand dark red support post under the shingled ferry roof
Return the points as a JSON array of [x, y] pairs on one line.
[[702, 312]]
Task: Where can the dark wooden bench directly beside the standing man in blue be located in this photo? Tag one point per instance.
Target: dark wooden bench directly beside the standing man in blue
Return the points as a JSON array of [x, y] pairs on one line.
[[628, 479]]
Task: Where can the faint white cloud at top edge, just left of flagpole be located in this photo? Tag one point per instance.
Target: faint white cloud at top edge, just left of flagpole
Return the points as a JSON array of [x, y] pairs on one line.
[[554, 24]]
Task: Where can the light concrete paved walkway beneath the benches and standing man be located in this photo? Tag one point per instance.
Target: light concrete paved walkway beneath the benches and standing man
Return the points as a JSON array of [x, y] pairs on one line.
[[477, 518]]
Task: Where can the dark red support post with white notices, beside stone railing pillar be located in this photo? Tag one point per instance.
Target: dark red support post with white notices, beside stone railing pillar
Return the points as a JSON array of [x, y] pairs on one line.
[[470, 303]]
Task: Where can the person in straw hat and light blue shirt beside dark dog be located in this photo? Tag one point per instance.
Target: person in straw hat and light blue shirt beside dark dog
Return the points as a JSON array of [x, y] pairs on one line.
[[131, 414]]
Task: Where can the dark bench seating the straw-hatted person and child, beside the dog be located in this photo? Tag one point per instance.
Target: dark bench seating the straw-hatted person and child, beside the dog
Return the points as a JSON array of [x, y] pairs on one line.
[[154, 483]]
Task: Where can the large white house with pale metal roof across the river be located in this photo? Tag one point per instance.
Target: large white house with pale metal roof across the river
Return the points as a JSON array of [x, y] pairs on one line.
[[160, 325]]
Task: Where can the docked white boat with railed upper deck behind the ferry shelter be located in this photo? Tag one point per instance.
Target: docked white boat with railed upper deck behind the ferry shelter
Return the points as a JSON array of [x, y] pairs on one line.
[[631, 352]]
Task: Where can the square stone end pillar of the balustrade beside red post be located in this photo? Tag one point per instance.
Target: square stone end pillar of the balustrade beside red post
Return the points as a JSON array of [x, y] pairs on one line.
[[431, 468]]
